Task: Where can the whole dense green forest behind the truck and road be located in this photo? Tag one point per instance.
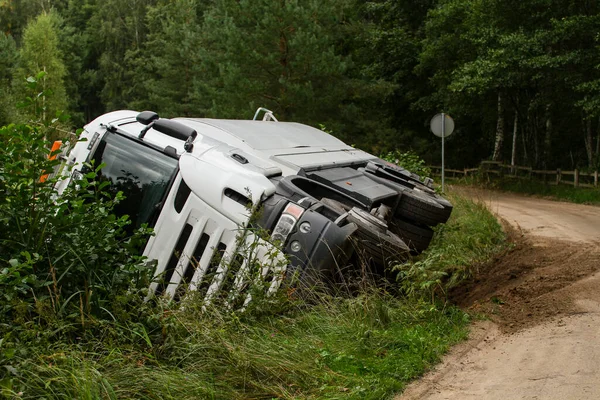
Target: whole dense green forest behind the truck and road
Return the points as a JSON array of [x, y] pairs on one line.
[[521, 78]]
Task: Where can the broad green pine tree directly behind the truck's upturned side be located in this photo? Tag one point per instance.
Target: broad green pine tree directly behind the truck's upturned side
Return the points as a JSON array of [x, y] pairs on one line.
[[293, 57]]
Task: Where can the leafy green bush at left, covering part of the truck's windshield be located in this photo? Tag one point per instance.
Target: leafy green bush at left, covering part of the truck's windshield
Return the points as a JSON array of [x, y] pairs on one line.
[[62, 260]]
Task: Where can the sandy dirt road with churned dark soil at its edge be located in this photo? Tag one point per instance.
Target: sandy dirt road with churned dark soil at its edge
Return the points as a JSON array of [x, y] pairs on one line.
[[543, 299]]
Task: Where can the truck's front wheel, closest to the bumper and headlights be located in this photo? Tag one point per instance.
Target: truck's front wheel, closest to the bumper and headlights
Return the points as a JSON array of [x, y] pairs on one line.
[[375, 240]]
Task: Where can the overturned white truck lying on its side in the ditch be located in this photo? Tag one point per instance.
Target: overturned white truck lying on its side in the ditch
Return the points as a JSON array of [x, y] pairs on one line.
[[196, 181]]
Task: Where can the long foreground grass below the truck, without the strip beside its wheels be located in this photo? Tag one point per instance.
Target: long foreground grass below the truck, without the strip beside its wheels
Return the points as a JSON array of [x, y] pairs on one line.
[[366, 347]]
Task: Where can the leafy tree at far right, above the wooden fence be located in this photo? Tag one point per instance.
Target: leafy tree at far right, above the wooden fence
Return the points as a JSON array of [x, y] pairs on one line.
[[527, 57]]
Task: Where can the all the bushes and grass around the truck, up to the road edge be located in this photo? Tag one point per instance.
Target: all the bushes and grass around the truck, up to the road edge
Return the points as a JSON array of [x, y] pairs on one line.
[[73, 323]]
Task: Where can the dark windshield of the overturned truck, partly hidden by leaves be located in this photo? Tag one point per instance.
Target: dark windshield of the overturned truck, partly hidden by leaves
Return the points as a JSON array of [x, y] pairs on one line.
[[143, 175]]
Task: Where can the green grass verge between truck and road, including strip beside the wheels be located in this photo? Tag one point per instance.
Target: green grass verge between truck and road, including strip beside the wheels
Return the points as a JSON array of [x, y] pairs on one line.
[[364, 347]]
